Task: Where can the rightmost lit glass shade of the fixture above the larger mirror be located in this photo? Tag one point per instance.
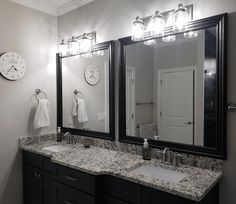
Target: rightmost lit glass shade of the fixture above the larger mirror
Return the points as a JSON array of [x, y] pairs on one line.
[[180, 18]]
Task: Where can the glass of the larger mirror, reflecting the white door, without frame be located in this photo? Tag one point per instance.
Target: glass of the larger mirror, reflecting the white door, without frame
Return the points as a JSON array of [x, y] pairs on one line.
[[171, 88]]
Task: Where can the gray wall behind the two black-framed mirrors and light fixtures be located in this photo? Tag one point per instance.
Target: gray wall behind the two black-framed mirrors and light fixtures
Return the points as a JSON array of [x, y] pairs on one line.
[[111, 19]]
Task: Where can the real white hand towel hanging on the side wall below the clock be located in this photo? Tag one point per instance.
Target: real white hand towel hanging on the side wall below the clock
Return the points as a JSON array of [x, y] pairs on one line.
[[42, 114]]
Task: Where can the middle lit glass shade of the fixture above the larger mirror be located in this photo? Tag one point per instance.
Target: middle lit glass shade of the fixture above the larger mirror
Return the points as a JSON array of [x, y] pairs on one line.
[[158, 24]]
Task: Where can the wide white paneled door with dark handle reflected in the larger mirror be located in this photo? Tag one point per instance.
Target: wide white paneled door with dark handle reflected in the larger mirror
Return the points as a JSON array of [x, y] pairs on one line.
[[176, 101]]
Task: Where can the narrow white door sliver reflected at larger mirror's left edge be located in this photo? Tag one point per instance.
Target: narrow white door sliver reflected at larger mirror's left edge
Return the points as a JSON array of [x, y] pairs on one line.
[[130, 100]]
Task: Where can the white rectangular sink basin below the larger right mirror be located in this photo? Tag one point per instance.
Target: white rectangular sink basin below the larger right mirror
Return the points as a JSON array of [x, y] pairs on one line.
[[157, 172]]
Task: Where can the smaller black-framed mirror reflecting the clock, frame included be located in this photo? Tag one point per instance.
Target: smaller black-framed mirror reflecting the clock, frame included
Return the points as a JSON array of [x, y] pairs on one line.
[[85, 92]]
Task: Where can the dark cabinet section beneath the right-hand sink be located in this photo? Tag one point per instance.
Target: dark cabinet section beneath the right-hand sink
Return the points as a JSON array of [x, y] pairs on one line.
[[124, 192]]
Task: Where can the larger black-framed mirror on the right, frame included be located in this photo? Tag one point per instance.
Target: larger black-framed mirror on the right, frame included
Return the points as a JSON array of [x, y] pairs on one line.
[[173, 89]]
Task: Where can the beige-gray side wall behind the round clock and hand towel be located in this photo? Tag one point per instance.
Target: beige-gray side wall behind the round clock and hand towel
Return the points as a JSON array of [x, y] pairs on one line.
[[33, 35]]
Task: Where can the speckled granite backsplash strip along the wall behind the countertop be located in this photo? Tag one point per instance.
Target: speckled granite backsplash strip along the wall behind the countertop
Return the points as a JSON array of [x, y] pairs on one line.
[[187, 159]]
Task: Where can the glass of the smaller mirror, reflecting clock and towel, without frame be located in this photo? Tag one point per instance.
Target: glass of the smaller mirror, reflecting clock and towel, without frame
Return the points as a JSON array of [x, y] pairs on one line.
[[85, 91]]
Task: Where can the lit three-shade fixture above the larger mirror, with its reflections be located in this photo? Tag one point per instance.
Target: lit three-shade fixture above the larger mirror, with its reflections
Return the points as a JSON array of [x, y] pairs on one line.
[[161, 24]]
